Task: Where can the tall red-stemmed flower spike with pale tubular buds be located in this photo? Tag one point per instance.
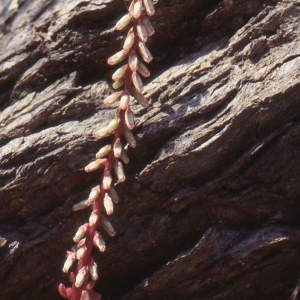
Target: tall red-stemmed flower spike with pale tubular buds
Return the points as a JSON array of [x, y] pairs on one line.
[[110, 156]]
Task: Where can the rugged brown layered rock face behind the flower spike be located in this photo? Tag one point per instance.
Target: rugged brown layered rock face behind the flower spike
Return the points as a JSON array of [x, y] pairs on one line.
[[210, 208]]
